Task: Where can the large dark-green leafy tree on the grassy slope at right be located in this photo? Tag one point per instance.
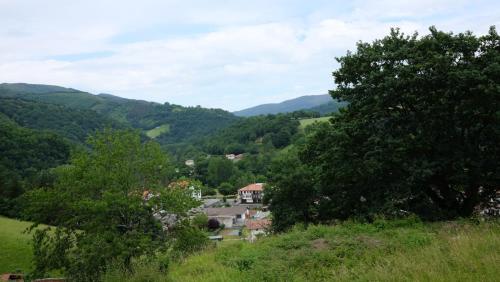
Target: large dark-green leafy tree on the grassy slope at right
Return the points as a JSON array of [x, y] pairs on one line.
[[421, 129]]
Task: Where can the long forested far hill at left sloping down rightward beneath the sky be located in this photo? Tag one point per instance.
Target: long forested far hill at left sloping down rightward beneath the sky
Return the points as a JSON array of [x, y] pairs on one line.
[[167, 123]]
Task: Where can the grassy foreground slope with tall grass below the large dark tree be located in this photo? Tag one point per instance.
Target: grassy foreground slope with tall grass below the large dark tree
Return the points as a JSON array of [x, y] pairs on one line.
[[383, 251]]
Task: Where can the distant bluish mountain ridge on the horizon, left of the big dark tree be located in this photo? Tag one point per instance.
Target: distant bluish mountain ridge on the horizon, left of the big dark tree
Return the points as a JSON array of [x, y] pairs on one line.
[[300, 103]]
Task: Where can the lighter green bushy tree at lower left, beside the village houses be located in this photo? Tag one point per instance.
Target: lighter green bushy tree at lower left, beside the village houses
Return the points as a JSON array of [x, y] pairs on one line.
[[99, 209]]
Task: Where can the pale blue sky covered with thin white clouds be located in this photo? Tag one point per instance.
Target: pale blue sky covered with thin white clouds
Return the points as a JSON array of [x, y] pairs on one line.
[[218, 54]]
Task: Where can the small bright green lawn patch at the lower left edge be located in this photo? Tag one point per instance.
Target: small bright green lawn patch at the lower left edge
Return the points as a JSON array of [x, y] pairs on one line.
[[15, 250]]
